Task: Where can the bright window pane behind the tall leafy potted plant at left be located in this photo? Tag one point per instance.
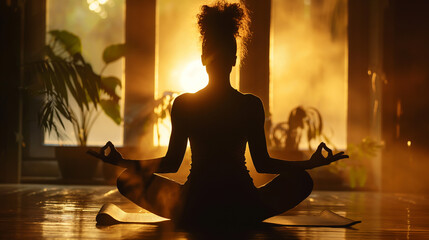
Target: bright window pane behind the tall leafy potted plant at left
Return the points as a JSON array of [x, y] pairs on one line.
[[98, 23]]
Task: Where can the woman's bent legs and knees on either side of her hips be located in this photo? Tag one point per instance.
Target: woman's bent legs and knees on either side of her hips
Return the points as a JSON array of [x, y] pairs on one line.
[[165, 197]]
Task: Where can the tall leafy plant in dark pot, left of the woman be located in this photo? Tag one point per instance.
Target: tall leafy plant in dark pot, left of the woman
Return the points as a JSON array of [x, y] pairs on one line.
[[72, 91]]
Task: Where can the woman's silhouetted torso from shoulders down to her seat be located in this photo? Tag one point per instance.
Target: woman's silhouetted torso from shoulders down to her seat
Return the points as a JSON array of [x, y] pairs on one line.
[[217, 125]]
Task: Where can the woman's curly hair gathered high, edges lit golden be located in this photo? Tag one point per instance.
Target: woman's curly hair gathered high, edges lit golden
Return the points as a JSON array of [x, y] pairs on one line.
[[221, 24]]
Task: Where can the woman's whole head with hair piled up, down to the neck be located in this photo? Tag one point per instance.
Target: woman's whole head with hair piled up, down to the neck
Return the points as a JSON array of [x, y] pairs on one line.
[[220, 25]]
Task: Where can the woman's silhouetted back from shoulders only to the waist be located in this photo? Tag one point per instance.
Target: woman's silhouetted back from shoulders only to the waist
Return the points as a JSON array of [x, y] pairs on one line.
[[217, 127]]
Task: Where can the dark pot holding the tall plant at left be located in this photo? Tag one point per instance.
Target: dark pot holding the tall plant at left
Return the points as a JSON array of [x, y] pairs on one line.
[[75, 164]]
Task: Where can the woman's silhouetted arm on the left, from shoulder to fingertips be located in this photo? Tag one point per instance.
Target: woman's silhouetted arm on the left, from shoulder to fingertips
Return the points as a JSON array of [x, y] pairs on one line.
[[167, 164]]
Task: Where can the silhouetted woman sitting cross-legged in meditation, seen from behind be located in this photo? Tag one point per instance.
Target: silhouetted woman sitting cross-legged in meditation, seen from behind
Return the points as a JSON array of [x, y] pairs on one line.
[[218, 121]]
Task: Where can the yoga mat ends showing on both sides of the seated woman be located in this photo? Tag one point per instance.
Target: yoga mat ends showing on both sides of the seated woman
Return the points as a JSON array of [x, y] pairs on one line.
[[111, 214]]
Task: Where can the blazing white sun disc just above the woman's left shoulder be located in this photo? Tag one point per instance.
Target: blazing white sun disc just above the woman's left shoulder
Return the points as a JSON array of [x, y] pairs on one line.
[[193, 77]]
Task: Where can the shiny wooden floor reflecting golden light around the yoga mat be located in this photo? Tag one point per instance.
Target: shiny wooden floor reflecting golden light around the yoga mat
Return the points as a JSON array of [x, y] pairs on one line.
[[68, 212]]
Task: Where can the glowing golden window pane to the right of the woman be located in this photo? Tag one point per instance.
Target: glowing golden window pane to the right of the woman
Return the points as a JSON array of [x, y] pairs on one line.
[[309, 62]]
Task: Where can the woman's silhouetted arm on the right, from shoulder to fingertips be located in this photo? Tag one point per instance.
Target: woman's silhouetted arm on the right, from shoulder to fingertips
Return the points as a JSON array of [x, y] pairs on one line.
[[258, 147]]
